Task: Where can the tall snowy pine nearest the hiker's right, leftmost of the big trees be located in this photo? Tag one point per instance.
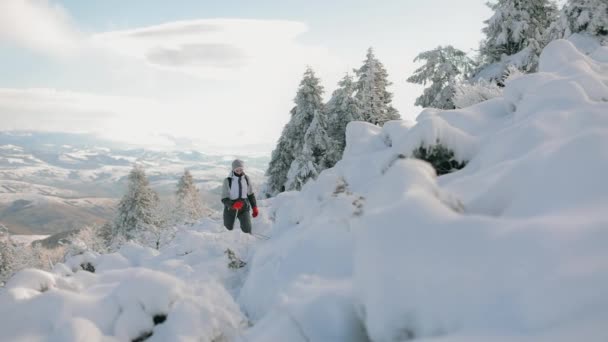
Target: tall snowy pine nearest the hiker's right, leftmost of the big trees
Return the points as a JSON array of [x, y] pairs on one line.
[[309, 103]]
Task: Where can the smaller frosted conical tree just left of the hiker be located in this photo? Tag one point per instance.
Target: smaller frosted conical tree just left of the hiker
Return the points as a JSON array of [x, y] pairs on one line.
[[189, 207]]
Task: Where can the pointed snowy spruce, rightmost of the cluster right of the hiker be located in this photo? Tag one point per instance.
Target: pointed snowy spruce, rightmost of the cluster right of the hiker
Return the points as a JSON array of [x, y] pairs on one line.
[[374, 99]]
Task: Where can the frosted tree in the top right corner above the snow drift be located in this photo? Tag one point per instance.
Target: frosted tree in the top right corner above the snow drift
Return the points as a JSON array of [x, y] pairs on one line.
[[582, 16]]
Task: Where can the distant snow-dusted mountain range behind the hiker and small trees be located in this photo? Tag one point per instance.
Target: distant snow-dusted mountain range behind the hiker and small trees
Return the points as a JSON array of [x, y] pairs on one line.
[[54, 182]]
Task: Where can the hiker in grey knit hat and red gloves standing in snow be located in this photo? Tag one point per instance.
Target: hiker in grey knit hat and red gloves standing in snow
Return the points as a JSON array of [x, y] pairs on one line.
[[238, 198]]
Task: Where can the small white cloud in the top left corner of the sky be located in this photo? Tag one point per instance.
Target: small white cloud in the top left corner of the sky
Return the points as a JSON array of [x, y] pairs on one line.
[[39, 25]]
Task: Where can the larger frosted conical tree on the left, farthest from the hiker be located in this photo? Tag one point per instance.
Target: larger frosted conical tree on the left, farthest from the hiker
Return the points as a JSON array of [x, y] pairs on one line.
[[137, 210]]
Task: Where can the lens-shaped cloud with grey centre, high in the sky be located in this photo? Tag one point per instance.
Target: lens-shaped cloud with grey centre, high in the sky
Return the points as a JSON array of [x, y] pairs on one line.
[[211, 48]]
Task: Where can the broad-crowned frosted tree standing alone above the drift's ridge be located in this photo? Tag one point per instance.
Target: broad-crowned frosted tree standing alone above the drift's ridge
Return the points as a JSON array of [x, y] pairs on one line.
[[443, 69]]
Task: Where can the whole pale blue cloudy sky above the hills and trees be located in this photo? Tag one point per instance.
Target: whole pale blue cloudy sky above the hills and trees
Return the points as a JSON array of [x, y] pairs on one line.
[[205, 74]]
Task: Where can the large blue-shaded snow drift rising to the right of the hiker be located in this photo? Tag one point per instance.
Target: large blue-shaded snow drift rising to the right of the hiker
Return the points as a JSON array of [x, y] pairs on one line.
[[512, 245]]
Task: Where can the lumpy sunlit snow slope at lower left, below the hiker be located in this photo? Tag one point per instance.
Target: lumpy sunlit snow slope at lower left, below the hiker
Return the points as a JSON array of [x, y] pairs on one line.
[[183, 293]]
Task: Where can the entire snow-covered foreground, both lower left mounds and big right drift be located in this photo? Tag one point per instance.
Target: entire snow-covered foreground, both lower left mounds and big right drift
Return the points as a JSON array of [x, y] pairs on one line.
[[510, 248]]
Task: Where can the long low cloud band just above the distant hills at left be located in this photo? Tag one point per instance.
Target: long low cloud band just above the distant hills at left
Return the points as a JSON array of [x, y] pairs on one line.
[[133, 120]]
